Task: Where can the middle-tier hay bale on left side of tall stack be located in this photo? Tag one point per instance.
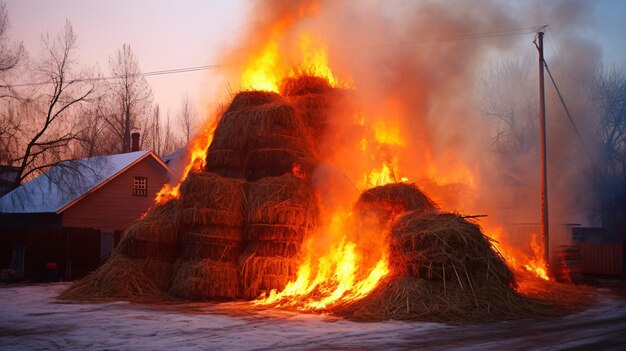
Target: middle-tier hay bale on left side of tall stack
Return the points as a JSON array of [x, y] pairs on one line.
[[209, 199]]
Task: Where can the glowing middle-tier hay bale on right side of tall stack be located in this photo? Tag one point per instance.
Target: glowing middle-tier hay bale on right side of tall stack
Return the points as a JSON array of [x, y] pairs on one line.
[[284, 200]]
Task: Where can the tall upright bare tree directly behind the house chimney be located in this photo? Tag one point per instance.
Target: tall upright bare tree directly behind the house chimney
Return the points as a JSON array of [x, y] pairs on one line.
[[131, 94]]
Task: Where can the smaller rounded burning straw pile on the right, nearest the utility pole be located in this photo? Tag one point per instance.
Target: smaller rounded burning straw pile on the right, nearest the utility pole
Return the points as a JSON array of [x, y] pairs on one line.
[[443, 268]]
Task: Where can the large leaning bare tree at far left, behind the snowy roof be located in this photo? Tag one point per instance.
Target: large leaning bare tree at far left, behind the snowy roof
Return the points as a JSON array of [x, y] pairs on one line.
[[52, 130]]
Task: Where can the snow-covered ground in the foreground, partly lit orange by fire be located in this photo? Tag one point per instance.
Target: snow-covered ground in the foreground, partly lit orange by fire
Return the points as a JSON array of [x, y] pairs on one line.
[[32, 319]]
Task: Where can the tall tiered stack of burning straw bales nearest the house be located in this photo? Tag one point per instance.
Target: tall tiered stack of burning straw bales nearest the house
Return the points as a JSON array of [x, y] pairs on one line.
[[237, 229]]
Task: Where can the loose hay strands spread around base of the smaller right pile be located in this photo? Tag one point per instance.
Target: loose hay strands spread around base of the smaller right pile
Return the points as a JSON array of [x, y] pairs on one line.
[[410, 298]]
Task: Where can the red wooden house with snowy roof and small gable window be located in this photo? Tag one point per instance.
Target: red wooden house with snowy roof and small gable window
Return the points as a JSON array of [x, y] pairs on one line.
[[72, 214]]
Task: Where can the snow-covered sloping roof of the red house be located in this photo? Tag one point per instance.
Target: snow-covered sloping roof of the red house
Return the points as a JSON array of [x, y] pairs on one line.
[[69, 182]]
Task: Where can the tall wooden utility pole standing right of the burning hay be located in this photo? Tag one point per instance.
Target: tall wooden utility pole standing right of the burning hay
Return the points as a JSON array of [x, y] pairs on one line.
[[544, 167]]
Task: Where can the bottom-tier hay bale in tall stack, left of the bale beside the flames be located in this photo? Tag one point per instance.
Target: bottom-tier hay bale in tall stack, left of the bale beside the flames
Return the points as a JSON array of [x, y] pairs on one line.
[[205, 280]]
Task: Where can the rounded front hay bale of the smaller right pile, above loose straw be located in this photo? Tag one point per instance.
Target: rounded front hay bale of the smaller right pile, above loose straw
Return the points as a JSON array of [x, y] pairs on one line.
[[445, 247]]
